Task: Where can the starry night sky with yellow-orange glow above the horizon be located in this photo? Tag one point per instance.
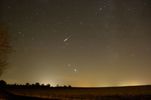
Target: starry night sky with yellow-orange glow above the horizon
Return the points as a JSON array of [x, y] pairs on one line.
[[78, 42]]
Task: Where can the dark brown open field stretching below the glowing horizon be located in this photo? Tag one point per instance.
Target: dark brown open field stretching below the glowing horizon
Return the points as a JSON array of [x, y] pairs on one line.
[[110, 93]]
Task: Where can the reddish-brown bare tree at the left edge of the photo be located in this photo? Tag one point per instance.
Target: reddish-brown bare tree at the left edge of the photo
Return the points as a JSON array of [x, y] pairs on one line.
[[4, 48]]
